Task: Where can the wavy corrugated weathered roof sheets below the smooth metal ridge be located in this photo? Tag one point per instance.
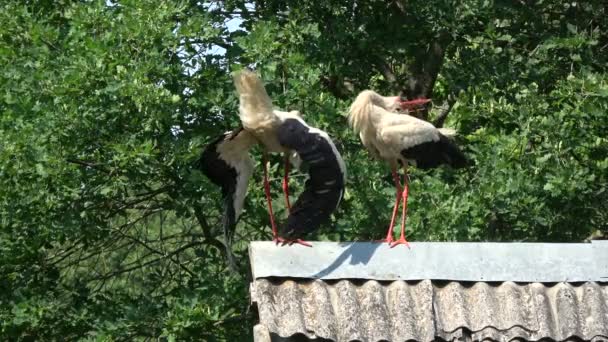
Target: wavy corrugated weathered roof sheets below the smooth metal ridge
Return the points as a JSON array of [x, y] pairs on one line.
[[346, 310]]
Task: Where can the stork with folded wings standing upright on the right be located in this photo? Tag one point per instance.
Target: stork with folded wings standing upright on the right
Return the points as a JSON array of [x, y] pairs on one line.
[[401, 139]]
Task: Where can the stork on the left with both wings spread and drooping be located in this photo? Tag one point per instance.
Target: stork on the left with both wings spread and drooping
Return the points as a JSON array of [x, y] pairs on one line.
[[227, 163]]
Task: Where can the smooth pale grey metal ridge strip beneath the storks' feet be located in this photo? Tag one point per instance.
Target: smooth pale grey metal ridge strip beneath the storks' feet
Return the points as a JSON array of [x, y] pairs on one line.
[[454, 261]]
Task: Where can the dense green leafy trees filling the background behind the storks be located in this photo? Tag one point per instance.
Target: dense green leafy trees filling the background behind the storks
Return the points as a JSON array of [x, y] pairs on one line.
[[107, 231]]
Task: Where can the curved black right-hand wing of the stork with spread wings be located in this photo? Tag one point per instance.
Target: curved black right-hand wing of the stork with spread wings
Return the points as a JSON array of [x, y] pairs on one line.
[[325, 186]]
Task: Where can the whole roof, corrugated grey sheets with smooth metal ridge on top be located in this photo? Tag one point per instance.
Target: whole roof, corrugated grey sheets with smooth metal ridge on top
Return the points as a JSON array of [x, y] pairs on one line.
[[434, 291]]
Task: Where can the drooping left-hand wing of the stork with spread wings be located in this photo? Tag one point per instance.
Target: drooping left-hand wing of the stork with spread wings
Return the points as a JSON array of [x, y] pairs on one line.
[[226, 162]]
